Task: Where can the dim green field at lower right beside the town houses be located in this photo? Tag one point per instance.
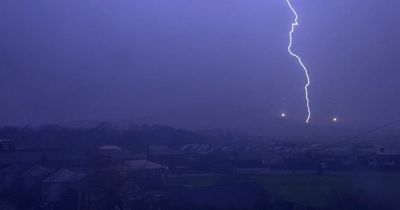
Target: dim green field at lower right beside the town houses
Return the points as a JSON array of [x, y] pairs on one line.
[[310, 189]]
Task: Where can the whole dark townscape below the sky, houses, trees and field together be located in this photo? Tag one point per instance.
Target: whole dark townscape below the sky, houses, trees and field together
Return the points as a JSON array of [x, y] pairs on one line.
[[159, 167]]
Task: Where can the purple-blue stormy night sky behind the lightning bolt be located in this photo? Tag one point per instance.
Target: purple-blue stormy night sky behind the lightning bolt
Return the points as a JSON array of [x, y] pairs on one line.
[[198, 63]]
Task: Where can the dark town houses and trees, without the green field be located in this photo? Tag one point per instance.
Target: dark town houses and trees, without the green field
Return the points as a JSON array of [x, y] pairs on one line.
[[112, 177]]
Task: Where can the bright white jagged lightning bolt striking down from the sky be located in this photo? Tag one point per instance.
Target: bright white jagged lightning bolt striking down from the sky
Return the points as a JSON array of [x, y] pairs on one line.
[[294, 24]]
